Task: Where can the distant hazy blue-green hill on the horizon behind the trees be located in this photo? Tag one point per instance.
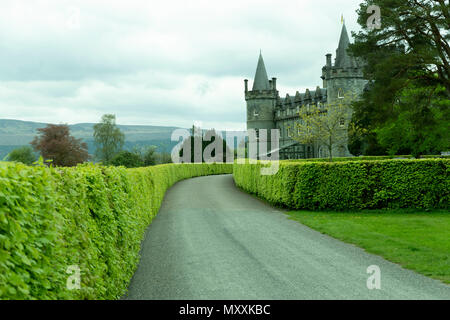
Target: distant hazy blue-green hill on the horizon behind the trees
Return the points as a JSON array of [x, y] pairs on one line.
[[16, 133]]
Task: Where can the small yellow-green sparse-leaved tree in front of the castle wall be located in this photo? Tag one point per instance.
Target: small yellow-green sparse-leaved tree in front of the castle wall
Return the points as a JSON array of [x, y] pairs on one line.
[[324, 126]]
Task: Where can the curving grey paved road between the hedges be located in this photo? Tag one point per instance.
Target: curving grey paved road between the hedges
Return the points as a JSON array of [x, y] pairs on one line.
[[212, 241]]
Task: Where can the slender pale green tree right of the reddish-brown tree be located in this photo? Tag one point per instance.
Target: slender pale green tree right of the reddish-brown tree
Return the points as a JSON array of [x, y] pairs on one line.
[[108, 138]]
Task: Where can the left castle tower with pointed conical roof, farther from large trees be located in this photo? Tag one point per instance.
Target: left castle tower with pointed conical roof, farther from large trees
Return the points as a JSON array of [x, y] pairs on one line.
[[261, 101]]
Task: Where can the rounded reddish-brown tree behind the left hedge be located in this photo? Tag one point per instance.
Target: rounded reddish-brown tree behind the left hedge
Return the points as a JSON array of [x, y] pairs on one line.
[[55, 143]]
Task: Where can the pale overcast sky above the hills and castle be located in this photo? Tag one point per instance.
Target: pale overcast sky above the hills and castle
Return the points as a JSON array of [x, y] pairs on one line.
[[158, 62]]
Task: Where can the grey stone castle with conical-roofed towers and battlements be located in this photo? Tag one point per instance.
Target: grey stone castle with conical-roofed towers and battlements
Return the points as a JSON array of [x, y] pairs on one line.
[[267, 110]]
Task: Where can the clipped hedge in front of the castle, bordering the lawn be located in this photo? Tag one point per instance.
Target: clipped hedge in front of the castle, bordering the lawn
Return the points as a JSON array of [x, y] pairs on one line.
[[351, 184]]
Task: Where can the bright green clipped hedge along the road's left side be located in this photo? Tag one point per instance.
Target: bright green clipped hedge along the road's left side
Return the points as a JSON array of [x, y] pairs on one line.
[[90, 216]]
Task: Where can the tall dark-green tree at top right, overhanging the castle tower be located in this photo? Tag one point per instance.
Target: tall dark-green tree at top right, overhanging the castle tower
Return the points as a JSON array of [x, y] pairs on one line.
[[412, 44]]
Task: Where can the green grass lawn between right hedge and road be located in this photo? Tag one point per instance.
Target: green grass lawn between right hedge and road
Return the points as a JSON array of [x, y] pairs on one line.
[[416, 240]]
